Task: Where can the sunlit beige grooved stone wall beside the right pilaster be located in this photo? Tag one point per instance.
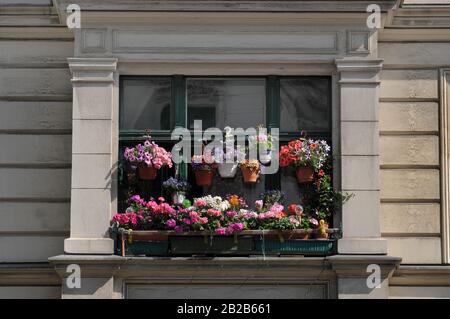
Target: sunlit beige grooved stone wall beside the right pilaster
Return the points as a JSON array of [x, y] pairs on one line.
[[409, 150]]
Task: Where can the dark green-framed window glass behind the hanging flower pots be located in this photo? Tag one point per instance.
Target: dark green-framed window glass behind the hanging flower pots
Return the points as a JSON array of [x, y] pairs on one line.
[[294, 104]]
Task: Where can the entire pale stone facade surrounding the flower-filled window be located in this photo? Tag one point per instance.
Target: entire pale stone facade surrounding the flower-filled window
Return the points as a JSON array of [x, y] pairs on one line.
[[59, 102]]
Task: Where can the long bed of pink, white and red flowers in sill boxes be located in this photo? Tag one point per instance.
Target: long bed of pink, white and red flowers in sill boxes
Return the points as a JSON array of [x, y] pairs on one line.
[[213, 225]]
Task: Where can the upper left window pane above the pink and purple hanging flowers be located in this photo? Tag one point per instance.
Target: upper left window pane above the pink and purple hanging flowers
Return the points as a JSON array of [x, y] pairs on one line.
[[146, 104]]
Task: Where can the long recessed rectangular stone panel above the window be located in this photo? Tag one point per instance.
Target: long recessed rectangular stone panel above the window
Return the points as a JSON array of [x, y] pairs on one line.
[[216, 41]]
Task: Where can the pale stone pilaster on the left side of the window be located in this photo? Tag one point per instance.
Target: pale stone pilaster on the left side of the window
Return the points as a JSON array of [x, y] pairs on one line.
[[92, 155]]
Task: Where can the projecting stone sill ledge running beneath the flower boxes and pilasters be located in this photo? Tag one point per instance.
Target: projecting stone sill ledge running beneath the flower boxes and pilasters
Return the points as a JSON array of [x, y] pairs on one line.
[[295, 266]]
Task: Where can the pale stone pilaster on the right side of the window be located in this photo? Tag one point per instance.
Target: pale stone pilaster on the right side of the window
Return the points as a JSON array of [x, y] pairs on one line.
[[359, 85]]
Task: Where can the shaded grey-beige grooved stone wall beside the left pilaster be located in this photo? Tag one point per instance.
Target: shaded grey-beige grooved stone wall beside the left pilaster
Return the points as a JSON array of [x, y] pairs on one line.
[[35, 136]]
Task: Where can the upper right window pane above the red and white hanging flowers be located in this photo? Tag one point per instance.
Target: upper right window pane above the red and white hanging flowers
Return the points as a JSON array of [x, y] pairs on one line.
[[305, 104]]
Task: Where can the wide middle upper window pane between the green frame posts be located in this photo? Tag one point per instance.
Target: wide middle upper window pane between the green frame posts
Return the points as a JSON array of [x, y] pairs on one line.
[[226, 102]]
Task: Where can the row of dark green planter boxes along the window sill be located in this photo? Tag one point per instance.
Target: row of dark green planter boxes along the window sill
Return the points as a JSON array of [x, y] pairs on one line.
[[244, 243]]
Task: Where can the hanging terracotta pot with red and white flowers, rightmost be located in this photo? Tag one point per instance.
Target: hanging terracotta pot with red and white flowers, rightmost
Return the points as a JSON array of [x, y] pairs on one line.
[[308, 156]]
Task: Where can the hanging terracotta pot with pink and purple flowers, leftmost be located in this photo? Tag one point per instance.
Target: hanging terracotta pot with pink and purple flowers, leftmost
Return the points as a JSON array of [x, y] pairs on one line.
[[148, 158]]
